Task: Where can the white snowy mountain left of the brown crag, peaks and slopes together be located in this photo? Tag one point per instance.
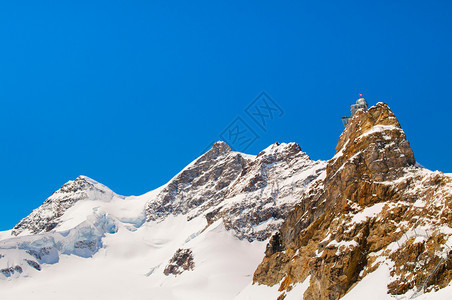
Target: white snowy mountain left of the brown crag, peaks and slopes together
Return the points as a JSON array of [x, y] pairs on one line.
[[215, 215]]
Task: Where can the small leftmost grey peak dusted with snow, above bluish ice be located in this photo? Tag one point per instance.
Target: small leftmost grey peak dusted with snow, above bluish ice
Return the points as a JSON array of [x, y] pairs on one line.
[[46, 217]]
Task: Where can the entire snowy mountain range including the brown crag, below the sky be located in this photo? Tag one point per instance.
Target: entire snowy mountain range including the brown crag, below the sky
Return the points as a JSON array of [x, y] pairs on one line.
[[232, 225]]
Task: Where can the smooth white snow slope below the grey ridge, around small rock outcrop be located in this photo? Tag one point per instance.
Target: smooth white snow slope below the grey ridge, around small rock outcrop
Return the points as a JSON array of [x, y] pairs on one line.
[[130, 266]]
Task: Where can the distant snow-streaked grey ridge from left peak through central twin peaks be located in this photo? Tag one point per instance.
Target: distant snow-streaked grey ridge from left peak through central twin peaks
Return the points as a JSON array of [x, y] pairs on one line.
[[219, 184]]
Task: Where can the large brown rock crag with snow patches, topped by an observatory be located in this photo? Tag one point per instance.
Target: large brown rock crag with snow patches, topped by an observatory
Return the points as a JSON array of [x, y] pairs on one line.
[[374, 203]]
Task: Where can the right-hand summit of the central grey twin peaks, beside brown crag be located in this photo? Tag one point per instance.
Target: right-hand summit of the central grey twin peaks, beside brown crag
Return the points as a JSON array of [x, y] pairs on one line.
[[267, 190]]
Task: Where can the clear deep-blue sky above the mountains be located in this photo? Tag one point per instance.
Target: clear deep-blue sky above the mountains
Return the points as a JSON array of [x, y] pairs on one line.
[[129, 92]]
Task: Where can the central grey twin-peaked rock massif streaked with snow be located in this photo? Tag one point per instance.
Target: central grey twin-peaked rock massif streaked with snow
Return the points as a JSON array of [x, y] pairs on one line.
[[251, 194]]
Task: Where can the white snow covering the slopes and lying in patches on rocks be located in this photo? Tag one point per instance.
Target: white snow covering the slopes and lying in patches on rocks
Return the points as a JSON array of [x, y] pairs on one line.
[[102, 247]]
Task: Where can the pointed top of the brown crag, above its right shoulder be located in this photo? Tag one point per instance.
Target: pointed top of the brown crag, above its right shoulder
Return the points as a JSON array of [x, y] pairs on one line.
[[373, 145]]
